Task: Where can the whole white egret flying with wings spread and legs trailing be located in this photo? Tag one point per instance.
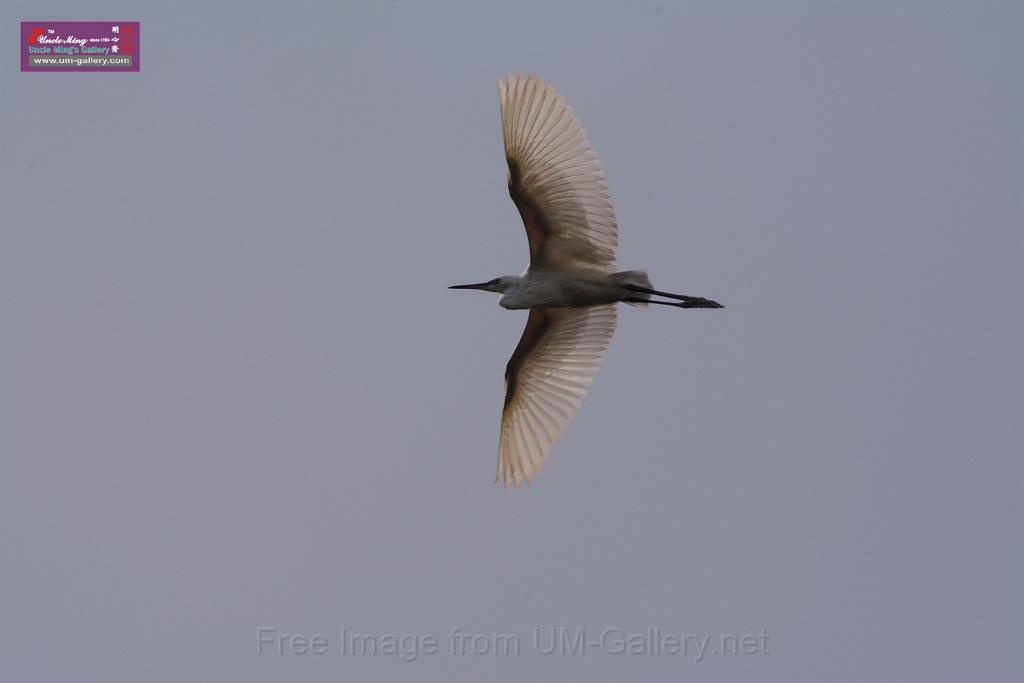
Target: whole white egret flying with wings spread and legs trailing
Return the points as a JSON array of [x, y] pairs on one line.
[[573, 283]]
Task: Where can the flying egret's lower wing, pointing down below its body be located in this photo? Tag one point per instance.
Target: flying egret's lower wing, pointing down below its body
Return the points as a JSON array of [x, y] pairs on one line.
[[545, 382]]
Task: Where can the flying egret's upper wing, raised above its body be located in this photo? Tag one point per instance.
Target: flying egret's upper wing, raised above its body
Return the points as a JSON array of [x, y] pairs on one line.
[[556, 179]]
